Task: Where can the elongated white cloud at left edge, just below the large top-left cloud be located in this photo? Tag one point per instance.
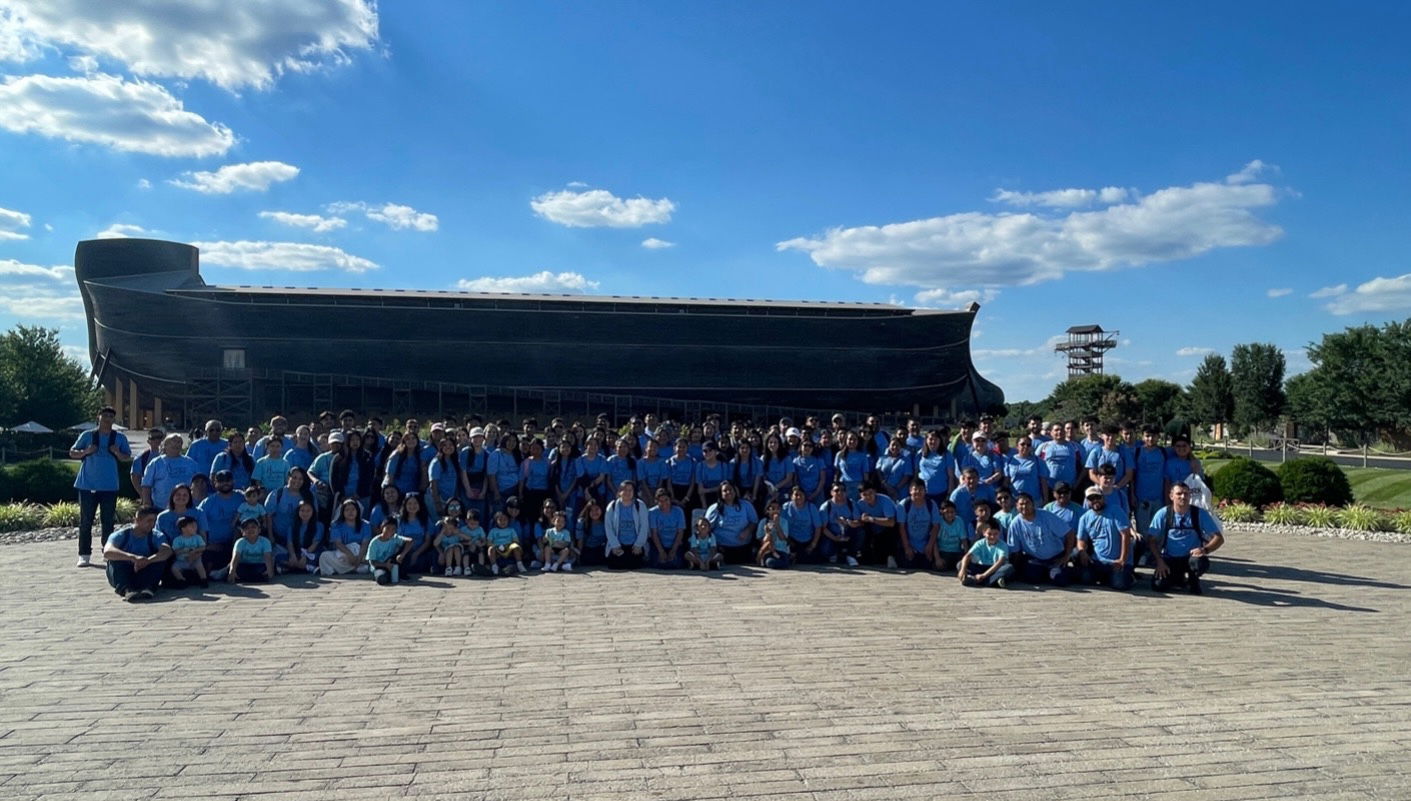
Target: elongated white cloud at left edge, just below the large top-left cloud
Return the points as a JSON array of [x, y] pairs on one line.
[[108, 111]]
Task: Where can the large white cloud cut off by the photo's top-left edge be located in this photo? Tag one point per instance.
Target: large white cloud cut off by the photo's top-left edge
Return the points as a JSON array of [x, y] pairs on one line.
[[232, 44]]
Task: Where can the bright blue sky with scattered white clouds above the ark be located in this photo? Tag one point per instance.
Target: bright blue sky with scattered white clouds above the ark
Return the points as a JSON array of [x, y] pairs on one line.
[[1196, 176]]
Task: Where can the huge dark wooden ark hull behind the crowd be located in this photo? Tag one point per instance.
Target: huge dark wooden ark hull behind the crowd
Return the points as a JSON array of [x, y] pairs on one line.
[[155, 321]]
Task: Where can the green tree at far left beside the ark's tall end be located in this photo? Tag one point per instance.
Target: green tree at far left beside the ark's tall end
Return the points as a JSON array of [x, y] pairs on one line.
[[39, 383]]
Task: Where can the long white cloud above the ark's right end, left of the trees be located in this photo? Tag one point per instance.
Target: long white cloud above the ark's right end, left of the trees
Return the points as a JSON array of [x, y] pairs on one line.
[[977, 249]]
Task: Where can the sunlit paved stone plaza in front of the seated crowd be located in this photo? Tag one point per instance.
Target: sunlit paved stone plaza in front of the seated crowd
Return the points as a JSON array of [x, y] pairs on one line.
[[1288, 680]]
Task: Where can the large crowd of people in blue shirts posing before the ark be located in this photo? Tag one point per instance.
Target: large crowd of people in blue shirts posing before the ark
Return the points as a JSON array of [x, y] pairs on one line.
[[1067, 503]]
